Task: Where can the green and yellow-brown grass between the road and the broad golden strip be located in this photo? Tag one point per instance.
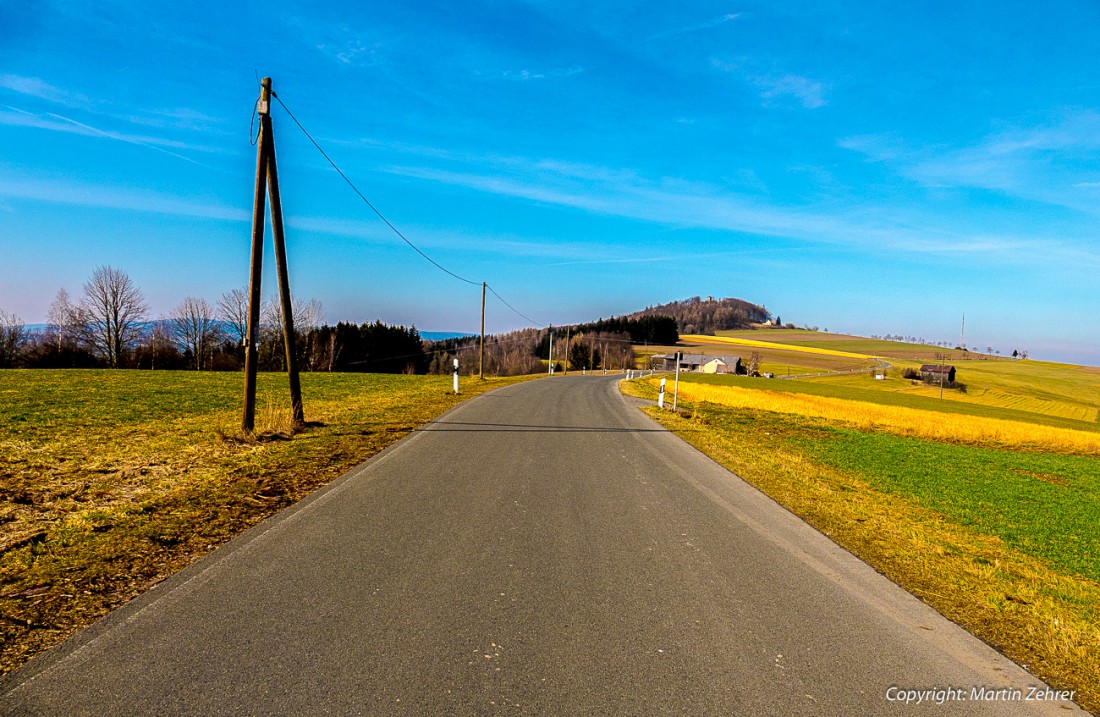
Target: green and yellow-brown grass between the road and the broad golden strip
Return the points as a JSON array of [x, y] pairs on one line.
[[1003, 543]]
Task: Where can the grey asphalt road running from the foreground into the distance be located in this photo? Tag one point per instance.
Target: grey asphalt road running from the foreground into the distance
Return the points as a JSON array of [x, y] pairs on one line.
[[543, 549]]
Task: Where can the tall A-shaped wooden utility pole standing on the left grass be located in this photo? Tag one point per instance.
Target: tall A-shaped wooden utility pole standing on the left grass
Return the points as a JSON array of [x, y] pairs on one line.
[[267, 172]]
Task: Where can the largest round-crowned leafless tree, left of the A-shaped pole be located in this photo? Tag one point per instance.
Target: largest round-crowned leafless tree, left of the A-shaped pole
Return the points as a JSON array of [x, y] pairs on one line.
[[112, 311]]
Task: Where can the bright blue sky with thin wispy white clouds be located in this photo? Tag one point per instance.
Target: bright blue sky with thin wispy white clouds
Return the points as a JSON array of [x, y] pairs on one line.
[[862, 167]]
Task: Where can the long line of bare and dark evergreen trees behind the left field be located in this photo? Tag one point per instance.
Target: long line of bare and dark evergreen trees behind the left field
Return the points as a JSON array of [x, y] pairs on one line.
[[109, 326]]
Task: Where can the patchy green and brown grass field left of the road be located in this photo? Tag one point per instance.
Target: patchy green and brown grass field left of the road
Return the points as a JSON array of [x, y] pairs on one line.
[[111, 481]]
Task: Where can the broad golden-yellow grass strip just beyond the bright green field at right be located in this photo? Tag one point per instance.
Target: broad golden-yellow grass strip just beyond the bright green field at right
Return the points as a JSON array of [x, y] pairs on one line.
[[901, 421]]
